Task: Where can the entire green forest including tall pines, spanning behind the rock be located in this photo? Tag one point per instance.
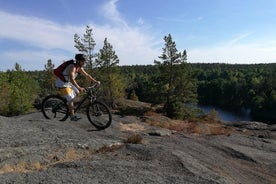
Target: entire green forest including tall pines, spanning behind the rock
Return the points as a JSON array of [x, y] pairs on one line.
[[171, 81]]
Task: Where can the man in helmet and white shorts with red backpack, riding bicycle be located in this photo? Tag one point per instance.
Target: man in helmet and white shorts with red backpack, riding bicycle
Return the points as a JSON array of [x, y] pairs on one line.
[[70, 88]]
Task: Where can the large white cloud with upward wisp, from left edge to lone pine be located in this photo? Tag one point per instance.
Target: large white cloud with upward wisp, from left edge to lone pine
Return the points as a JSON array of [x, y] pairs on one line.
[[47, 37]]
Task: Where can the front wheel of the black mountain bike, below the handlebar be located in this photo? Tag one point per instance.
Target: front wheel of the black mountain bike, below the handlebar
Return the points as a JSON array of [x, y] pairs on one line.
[[99, 115]]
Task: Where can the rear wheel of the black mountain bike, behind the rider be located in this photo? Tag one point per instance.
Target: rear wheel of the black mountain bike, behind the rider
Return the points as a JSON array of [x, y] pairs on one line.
[[55, 107]]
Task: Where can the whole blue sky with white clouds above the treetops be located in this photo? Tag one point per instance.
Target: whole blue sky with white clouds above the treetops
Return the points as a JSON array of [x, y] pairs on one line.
[[212, 31]]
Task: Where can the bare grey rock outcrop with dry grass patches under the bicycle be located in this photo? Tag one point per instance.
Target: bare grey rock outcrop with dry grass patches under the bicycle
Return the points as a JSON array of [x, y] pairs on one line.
[[36, 150]]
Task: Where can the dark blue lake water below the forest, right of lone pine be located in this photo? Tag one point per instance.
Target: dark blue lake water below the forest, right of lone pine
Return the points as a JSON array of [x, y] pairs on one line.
[[224, 115]]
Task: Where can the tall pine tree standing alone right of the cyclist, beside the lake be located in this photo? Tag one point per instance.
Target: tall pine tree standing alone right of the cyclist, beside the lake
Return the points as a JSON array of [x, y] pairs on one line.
[[176, 80]]
